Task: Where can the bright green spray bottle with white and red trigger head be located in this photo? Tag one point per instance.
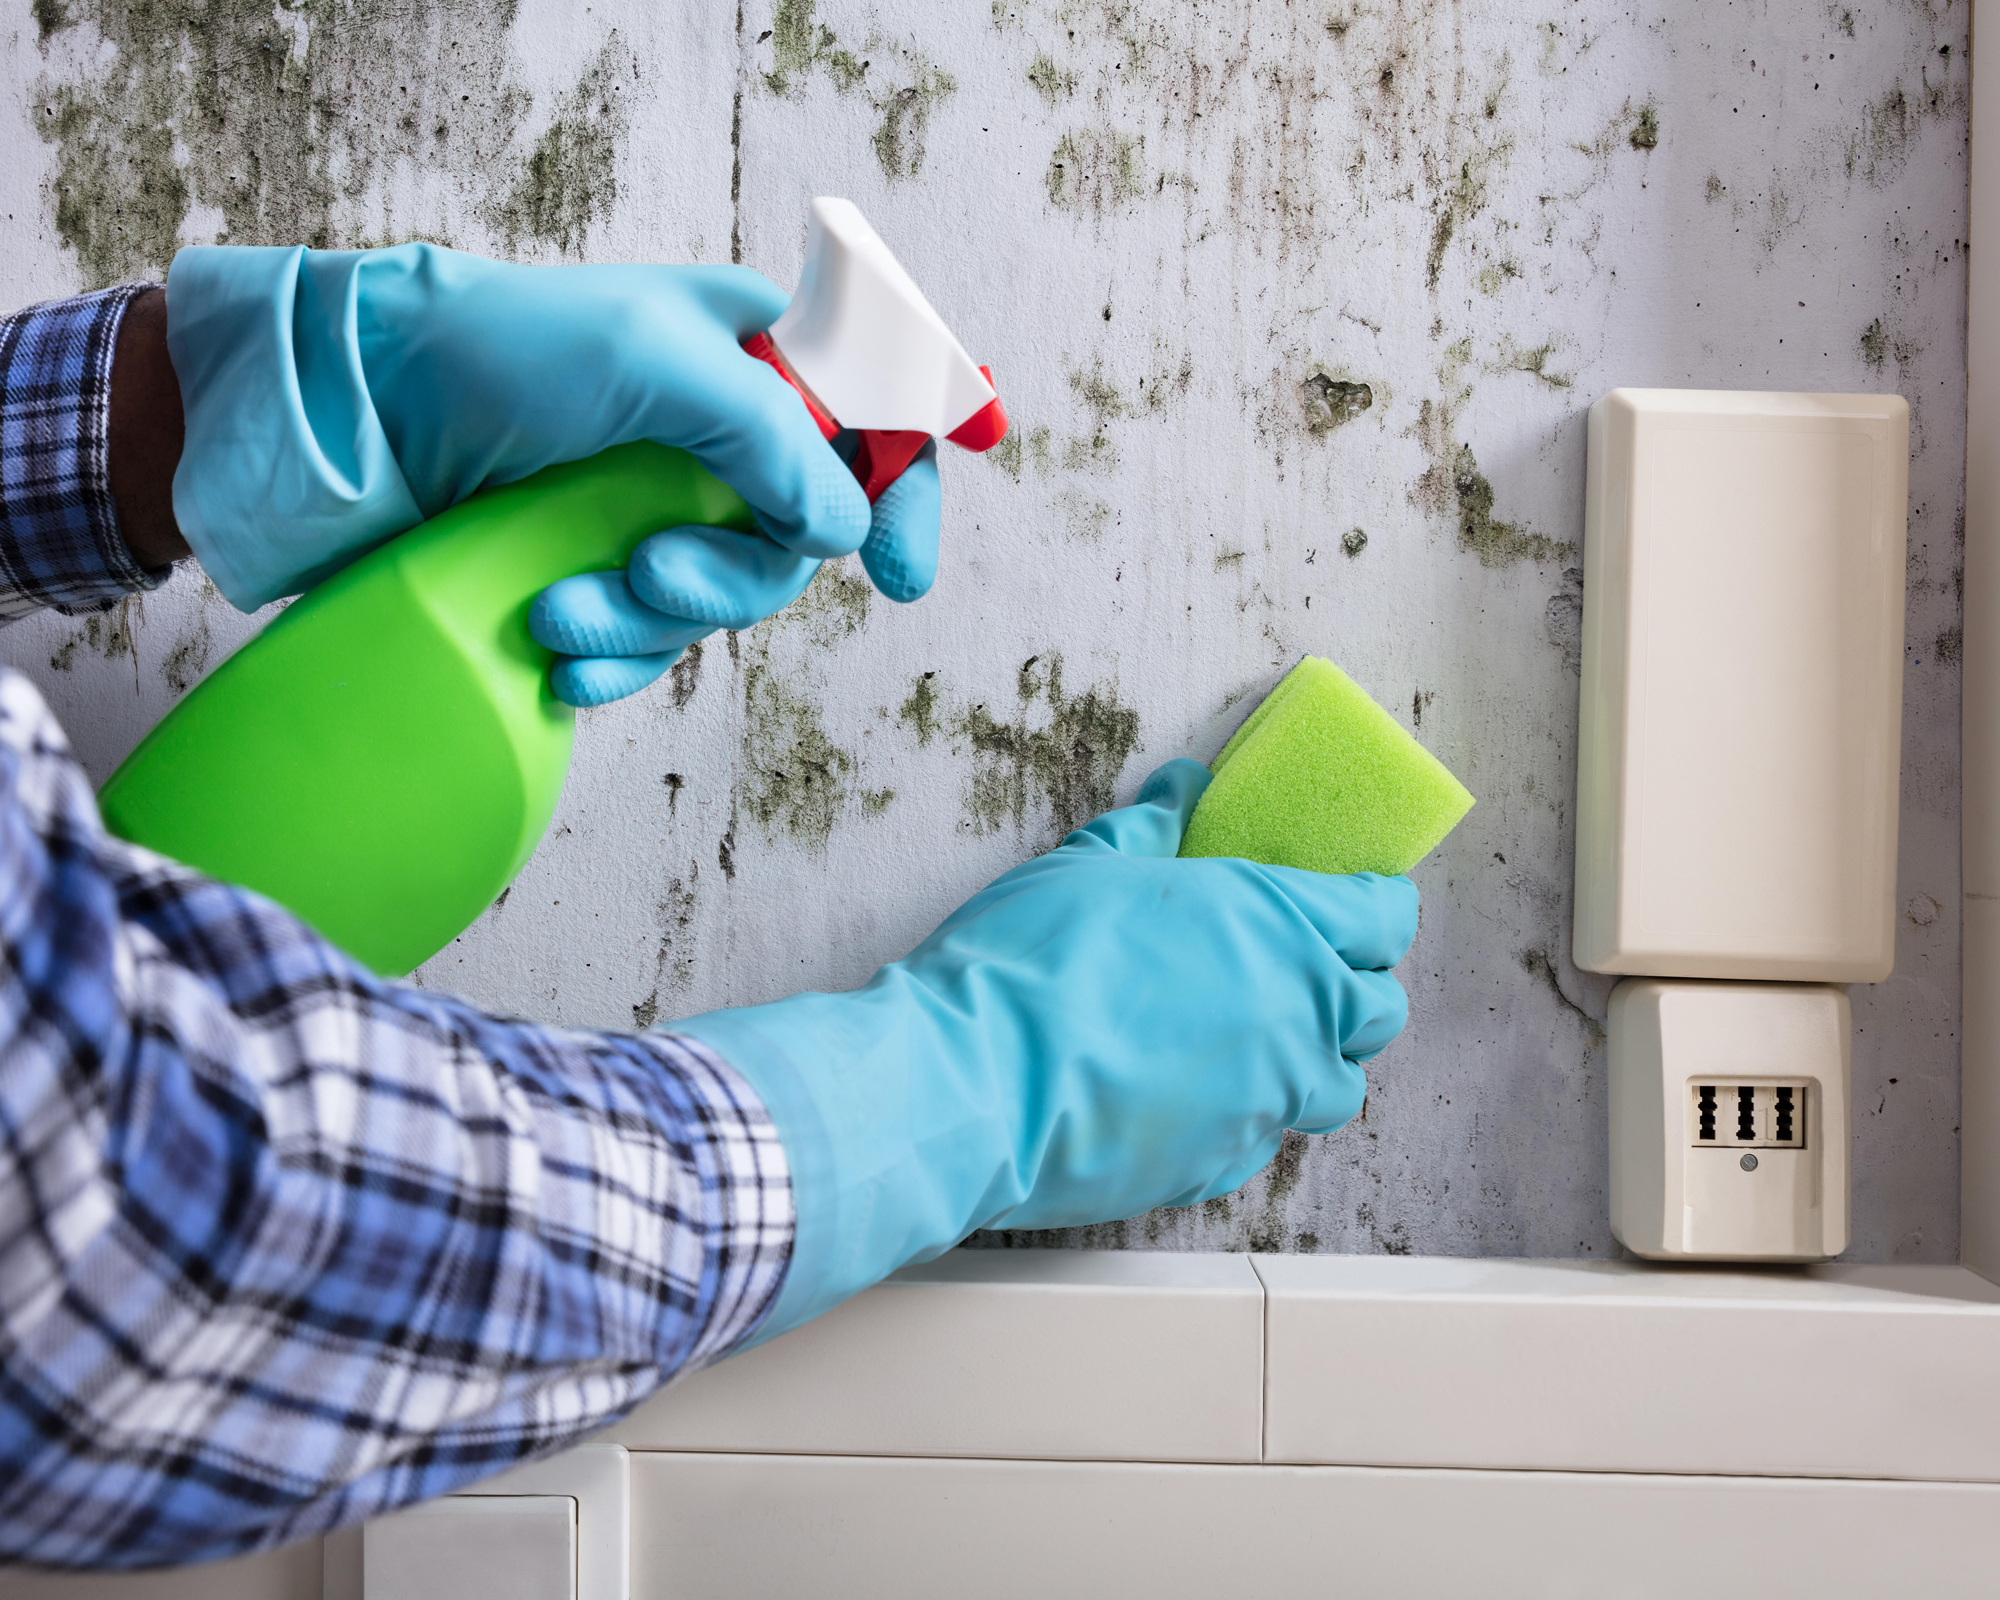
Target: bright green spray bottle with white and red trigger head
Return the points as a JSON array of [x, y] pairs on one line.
[[387, 755]]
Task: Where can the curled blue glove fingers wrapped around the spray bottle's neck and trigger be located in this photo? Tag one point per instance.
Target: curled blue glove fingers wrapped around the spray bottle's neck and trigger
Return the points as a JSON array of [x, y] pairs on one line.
[[619, 631]]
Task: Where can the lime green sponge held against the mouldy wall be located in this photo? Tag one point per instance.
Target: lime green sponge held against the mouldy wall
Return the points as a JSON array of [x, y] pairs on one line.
[[1321, 777]]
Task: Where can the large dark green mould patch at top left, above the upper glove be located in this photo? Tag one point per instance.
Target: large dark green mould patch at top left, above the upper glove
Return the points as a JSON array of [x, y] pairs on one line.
[[287, 121]]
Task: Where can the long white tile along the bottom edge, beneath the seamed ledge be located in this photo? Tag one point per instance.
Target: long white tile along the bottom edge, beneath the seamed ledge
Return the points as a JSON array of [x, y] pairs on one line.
[[839, 1527]]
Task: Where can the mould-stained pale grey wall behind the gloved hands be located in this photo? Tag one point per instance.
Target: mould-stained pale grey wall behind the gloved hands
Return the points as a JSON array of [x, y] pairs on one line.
[[1297, 309]]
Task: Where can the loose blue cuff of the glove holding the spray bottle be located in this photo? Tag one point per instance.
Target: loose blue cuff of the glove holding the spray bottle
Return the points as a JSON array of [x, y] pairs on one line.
[[287, 473]]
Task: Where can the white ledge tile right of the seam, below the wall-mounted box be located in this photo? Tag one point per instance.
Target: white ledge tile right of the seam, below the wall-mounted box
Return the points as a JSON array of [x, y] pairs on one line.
[[1613, 1367]]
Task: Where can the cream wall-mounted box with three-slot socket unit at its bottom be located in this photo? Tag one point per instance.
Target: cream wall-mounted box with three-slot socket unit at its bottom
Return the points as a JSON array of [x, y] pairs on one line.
[[1739, 769]]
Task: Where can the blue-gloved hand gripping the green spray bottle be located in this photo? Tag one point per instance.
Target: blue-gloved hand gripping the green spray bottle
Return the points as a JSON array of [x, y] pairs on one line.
[[339, 397]]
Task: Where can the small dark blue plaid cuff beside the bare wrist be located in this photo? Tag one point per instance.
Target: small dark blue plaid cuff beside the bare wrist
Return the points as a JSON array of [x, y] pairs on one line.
[[59, 529]]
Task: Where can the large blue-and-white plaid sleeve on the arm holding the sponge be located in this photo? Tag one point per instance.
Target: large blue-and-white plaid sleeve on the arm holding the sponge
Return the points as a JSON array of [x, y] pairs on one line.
[[285, 1245]]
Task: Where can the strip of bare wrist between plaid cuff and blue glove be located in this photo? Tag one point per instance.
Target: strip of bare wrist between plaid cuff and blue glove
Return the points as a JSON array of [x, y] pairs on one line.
[[147, 433]]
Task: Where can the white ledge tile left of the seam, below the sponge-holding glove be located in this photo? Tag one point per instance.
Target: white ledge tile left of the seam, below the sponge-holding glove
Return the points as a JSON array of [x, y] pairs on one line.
[[999, 1353]]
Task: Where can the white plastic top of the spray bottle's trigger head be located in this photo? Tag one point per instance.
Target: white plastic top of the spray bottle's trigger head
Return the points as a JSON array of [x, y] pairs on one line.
[[865, 341]]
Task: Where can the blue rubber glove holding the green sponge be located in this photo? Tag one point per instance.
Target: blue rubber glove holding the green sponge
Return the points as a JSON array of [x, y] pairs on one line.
[[1099, 1033]]
